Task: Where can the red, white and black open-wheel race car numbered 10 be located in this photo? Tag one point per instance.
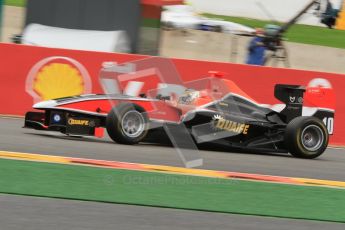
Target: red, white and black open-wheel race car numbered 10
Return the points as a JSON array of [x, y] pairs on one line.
[[211, 110]]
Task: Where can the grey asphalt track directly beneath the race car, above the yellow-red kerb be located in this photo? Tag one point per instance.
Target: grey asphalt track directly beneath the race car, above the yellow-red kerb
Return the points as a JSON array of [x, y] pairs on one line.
[[329, 166]]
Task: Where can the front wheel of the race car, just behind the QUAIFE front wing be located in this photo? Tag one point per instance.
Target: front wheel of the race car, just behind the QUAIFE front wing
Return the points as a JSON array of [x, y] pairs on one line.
[[127, 124]]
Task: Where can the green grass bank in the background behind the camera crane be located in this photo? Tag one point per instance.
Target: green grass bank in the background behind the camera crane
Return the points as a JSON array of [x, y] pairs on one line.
[[313, 35]]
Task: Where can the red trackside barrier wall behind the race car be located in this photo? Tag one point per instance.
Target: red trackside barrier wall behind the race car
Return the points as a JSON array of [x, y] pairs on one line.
[[258, 82]]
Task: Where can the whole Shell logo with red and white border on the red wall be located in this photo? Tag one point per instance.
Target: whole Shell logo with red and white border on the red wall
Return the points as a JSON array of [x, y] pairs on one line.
[[57, 77]]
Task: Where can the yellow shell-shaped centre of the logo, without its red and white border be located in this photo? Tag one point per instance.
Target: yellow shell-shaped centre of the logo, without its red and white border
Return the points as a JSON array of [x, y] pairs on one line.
[[57, 80]]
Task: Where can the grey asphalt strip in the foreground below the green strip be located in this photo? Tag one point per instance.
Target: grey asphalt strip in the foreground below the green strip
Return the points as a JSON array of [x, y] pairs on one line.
[[34, 213]]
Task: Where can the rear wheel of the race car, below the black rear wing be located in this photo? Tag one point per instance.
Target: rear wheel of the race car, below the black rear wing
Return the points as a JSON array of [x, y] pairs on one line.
[[306, 137]]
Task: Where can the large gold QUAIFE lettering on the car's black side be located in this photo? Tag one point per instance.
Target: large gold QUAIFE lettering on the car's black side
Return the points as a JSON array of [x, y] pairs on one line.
[[231, 126]]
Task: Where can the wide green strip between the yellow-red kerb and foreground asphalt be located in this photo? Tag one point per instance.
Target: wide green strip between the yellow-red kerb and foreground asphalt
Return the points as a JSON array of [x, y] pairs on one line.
[[173, 191]]
